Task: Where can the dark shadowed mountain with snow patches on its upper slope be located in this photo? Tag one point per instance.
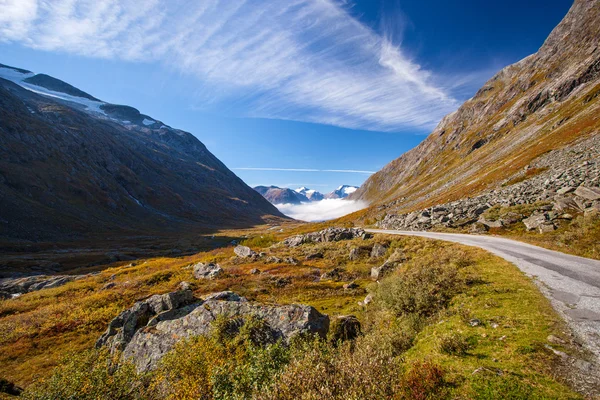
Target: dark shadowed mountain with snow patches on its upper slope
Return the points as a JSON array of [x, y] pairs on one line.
[[73, 166]]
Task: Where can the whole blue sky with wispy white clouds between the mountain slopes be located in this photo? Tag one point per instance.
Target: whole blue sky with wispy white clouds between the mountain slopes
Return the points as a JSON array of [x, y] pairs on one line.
[[323, 85]]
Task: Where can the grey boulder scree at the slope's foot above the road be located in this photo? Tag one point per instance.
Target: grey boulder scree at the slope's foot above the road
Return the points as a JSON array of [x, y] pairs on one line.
[[569, 183]]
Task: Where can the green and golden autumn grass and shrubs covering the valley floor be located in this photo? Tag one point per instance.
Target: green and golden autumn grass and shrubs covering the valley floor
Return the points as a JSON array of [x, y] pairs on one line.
[[416, 342]]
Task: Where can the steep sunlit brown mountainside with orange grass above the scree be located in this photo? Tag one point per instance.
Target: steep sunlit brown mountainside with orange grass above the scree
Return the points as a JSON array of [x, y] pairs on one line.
[[543, 102]]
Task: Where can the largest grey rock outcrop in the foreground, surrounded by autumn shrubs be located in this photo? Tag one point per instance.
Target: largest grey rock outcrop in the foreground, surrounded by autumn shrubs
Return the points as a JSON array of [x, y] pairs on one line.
[[151, 328]]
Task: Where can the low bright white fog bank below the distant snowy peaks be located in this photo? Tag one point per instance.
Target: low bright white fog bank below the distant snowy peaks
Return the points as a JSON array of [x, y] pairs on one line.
[[321, 210]]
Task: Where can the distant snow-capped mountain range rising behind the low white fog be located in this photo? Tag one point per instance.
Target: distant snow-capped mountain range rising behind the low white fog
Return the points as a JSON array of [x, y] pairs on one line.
[[277, 195]]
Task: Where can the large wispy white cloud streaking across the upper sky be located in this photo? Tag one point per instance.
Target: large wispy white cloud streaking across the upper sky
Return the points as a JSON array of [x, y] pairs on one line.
[[307, 60]]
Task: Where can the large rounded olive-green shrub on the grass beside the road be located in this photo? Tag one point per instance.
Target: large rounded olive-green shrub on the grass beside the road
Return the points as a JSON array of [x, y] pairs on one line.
[[421, 290]]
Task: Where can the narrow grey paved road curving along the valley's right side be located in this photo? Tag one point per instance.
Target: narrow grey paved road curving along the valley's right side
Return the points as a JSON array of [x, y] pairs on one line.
[[571, 283]]
